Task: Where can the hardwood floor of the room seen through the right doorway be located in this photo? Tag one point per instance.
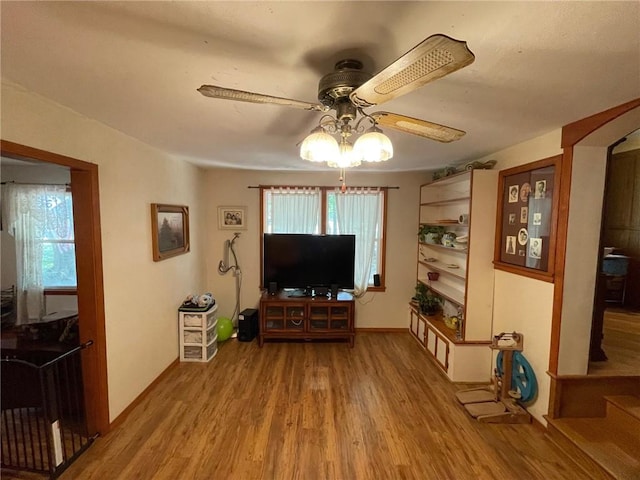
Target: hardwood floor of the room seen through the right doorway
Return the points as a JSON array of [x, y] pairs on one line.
[[620, 342]]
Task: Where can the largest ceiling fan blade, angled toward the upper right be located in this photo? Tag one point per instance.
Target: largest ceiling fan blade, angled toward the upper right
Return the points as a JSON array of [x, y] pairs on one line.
[[435, 57]]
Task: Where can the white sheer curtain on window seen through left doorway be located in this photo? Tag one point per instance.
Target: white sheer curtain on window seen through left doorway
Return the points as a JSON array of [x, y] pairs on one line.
[[32, 213]]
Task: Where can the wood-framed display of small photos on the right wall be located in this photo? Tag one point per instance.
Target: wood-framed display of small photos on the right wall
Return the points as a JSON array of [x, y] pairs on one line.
[[528, 193]]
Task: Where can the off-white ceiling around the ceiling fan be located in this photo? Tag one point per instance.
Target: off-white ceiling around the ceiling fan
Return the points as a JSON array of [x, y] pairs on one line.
[[135, 66]]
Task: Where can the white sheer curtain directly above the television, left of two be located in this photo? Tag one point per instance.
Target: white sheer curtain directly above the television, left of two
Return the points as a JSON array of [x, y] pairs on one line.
[[293, 210]]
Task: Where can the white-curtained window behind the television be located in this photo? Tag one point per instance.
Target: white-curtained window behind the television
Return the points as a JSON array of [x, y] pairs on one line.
[[359, 210]]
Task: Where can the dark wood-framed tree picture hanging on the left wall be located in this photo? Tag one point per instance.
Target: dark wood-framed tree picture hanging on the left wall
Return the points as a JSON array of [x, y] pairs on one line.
[[169, 230]]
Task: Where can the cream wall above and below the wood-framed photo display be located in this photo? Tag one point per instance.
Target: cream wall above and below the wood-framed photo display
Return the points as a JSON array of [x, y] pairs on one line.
[[521, 303]]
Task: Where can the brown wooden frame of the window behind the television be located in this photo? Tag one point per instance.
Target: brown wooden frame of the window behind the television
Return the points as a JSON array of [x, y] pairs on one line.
[[323, 225]]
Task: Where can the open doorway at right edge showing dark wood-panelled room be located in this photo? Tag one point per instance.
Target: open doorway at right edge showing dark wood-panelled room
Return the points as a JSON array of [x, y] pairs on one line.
[[615, 337]]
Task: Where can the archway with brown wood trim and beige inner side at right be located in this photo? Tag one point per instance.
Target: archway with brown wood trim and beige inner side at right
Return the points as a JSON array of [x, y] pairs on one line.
[[585, 145]]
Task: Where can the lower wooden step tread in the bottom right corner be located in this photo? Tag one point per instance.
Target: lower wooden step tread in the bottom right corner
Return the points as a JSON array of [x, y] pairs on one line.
[[614, 447]]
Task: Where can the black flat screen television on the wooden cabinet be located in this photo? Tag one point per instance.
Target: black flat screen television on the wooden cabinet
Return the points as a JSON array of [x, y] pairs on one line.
[[303, 261]]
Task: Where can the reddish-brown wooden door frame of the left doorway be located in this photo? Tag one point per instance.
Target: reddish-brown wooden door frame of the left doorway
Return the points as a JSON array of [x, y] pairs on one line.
[[90, 288]]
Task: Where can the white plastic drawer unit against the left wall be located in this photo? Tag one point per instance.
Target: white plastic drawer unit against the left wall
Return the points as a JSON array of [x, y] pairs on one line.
[[198, 335]]
